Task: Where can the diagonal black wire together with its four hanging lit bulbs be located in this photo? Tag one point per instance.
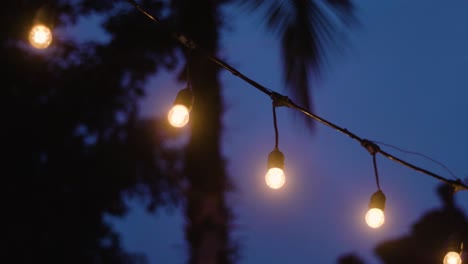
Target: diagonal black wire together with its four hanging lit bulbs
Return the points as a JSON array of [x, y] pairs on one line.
[[179, 116]]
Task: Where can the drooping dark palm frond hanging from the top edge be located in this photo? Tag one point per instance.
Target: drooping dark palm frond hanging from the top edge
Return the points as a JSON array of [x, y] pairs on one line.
[[308, 30]]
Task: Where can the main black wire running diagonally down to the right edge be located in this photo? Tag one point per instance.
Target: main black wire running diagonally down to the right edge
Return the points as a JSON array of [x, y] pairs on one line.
[[285, 101]]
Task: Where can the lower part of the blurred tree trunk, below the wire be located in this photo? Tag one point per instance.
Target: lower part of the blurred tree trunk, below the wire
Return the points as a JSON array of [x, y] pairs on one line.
[[207, 229]]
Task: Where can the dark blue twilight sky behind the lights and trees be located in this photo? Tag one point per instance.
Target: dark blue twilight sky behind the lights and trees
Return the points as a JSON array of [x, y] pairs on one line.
[[402, 80]]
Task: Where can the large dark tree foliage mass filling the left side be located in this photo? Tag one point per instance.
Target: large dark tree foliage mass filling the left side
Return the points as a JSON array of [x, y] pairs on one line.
[[72, 143]]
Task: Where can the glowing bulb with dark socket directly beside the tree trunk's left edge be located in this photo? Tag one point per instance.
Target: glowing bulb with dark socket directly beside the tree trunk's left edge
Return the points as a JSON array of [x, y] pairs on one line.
[[179, 114]]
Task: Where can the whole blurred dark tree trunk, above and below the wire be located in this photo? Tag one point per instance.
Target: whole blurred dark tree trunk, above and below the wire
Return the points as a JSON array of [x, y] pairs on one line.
[[208, 216]]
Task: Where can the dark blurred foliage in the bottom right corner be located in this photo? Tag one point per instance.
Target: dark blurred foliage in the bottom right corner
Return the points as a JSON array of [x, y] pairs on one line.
[[430, 238]]
